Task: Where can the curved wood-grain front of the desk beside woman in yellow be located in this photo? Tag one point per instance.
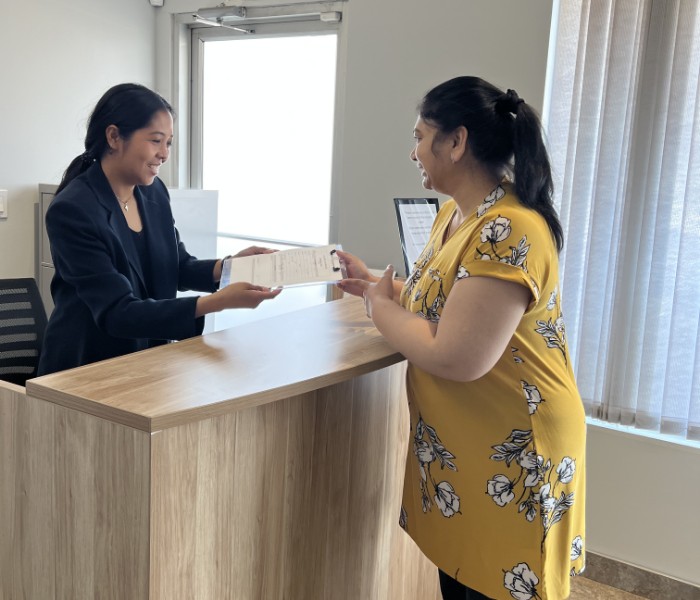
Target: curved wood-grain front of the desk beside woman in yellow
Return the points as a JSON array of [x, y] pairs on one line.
[[292, 500]]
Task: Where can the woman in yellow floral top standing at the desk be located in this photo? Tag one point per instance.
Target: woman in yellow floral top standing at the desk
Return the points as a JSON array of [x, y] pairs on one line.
[[494, 490]]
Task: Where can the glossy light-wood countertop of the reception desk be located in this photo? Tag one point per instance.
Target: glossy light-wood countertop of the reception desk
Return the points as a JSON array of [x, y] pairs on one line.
[[249, 365]]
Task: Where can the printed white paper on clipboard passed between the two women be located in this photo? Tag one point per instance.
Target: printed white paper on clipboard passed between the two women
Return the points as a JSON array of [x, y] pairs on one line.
[[286, 268]]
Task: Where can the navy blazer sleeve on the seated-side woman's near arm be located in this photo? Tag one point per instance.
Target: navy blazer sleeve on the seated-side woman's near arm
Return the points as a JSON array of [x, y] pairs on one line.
[[90, 258]]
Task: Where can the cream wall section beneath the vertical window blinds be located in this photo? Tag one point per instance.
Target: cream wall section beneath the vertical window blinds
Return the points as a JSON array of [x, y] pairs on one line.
[[643, 505]]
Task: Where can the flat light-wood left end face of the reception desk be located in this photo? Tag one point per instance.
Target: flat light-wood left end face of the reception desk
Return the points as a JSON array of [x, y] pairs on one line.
[[75, 516]]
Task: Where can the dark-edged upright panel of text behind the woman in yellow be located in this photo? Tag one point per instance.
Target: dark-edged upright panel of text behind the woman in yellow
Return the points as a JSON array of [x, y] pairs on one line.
[[415, 218]]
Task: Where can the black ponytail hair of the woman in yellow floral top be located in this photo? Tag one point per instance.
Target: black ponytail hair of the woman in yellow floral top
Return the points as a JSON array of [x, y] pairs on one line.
[[504, 133]]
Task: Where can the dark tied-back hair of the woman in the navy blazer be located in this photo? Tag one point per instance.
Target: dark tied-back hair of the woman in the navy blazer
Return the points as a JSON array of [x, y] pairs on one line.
[[128, 106]]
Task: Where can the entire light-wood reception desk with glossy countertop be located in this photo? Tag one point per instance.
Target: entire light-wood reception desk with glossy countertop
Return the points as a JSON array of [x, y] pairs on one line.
[[263, 462]]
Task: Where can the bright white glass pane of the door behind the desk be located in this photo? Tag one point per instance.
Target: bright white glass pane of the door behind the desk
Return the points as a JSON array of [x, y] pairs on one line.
[[268, 135]]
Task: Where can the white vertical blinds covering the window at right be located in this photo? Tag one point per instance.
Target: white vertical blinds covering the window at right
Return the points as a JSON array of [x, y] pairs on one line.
[[623, 122]]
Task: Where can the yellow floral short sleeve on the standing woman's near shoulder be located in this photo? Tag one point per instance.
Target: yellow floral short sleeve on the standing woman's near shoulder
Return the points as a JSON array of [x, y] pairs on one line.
[[512, 243]]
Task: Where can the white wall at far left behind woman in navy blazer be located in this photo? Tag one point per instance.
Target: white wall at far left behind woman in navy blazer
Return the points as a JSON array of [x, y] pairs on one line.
[[58, 57]]
